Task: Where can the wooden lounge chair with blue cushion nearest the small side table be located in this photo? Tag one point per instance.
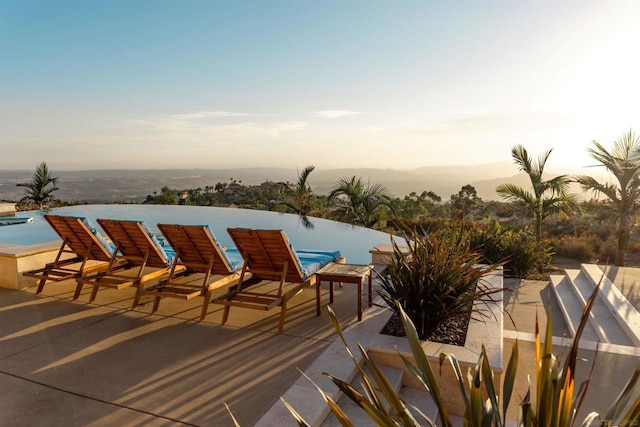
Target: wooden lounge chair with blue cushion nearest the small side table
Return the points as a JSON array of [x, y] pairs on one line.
[[268, 256]]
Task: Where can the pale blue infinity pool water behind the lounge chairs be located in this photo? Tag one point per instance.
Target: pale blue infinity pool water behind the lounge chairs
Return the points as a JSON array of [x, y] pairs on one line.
[[353, 242]]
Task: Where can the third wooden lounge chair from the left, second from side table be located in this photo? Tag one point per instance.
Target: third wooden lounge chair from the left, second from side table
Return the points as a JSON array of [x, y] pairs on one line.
[[199, 252]]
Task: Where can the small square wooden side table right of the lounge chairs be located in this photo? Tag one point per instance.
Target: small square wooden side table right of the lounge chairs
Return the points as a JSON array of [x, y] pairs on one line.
[[344, 273]]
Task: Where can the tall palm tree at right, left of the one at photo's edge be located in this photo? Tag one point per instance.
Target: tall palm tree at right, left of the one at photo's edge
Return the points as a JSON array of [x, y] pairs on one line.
[[548, 197]]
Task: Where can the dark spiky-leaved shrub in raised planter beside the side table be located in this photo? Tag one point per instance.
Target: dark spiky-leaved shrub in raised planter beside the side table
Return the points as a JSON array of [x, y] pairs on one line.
[[437, 279]]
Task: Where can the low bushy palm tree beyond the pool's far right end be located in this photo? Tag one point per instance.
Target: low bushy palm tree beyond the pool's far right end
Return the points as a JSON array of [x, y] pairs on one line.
[[360, 204]]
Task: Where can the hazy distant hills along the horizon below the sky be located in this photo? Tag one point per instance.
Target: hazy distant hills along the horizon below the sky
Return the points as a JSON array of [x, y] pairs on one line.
[[134, 185]]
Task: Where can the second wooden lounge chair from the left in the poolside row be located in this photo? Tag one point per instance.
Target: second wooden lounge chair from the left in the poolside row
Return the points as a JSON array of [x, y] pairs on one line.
[[139, 248]]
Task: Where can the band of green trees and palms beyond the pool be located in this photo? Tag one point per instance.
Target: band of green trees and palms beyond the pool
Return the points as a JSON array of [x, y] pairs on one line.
[[568, 223]]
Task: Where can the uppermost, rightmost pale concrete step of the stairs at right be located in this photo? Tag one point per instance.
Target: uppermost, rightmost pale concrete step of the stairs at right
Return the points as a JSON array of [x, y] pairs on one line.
[[621, 309]]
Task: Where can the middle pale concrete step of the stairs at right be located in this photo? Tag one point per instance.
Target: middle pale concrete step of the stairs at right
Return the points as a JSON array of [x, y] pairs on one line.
[[601, 318]]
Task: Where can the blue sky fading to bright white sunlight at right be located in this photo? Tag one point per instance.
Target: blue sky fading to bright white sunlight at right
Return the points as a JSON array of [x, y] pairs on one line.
[[142, 84]]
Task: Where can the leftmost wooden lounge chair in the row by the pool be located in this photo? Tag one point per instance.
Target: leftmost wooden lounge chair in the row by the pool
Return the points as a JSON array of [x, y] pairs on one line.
[[83, 251]]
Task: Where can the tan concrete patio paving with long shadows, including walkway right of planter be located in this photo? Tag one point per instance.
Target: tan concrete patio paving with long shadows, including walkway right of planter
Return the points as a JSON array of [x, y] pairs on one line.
[[71, 363]]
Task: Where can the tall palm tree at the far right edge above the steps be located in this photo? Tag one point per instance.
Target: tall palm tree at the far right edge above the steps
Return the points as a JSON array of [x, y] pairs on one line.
[[624, 163]]
